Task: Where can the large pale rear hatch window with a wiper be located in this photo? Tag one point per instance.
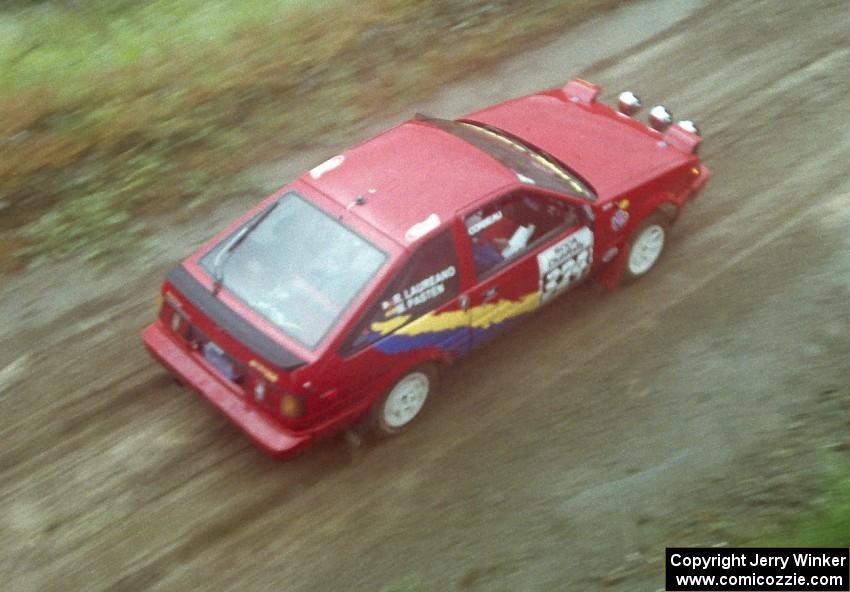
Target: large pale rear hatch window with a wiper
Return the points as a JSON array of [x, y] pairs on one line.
[[299, 268]]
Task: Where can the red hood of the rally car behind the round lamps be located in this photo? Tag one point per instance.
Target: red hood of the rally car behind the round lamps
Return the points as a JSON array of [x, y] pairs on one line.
[[613, 152]]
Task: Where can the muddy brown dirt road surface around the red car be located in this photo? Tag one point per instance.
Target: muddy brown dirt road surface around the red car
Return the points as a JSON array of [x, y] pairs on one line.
[[692, 407]]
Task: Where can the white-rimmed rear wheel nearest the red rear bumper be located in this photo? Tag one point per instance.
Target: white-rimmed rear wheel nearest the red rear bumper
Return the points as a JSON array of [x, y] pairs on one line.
[[402, 403]]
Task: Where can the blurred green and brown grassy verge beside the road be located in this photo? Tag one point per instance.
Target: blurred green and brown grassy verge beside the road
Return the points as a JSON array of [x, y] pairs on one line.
[[112, 111]]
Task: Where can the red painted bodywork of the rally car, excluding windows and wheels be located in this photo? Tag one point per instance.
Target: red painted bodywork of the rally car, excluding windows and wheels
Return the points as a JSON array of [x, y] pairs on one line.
[[406, 175]]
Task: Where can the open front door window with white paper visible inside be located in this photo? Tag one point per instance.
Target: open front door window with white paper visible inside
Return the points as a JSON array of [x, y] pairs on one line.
[[508, 226]]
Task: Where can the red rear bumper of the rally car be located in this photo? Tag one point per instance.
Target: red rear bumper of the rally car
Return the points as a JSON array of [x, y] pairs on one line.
[[268, 434]]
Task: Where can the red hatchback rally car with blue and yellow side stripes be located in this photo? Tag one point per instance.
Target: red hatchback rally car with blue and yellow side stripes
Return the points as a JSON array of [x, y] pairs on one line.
[[337, 299]]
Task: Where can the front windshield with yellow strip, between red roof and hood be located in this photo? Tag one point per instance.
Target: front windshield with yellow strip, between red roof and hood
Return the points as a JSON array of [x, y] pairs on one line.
[[531, 166]]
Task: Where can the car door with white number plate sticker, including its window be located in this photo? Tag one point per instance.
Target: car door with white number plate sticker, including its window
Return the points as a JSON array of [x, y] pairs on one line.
[[525, 248]]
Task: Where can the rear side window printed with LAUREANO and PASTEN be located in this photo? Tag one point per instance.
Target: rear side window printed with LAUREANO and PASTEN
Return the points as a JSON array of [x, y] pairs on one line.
[[427, 281]]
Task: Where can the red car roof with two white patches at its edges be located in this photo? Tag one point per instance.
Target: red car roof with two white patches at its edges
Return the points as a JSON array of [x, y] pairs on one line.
[[413, 176]]
